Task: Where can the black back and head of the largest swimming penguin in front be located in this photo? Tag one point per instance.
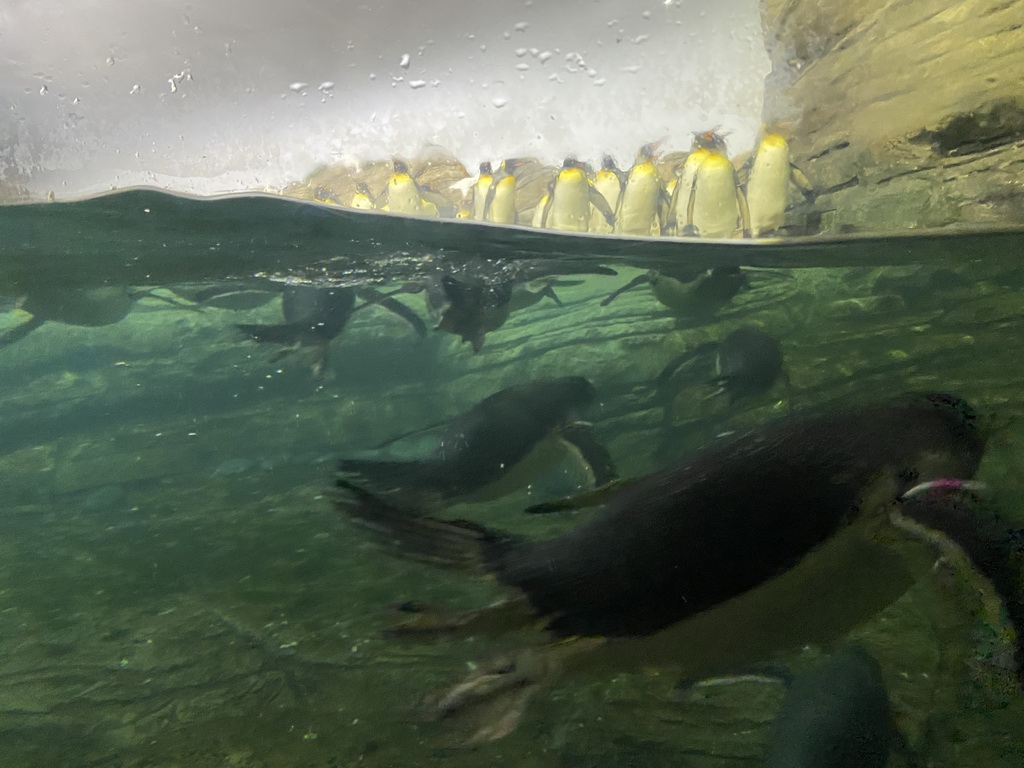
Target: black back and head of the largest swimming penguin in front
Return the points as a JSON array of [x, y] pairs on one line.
[[681, 541]]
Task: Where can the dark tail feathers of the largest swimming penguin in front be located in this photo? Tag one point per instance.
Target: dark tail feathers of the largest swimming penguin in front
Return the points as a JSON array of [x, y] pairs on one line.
[[461, 545]]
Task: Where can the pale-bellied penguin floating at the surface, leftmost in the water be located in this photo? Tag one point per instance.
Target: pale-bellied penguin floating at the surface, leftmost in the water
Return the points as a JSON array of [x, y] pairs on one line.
[[91, 308]]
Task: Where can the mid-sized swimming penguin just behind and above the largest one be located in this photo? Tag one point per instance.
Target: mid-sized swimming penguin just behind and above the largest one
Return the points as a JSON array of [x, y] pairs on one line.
[[497, 447]]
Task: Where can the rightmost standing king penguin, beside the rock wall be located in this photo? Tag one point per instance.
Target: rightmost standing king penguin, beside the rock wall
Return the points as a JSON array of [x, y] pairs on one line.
[[767, 176]]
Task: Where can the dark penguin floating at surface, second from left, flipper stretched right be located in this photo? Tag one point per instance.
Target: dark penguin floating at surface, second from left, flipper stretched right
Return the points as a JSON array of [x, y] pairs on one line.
[[314, 317]]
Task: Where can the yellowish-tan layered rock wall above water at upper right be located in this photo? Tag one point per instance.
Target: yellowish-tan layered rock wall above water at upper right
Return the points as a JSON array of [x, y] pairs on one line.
[[906, 114]]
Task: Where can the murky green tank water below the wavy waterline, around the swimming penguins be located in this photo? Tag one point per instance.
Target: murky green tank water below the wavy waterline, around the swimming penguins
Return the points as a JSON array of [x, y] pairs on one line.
[[178, 591]]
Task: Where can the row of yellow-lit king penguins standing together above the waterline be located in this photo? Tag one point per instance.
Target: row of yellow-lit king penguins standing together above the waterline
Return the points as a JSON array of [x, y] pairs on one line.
[[695, 194]]
